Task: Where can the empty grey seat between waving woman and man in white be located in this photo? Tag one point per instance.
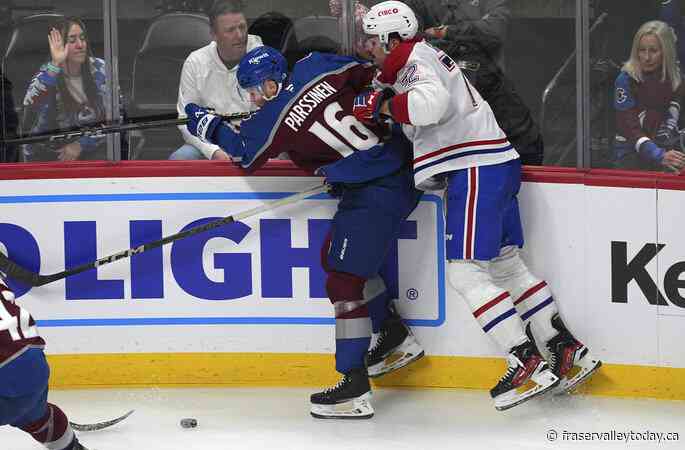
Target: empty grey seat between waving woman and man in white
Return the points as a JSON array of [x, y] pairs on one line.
[[168, 41]]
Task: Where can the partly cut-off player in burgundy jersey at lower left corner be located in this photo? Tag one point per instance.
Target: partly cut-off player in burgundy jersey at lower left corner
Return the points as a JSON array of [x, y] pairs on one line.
[[24, 374]]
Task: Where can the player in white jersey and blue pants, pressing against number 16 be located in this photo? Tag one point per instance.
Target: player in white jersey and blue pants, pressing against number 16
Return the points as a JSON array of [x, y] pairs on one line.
[[459, 147]]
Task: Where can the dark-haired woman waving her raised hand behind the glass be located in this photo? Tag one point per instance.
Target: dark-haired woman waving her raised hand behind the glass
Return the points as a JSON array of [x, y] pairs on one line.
[[67, 92]]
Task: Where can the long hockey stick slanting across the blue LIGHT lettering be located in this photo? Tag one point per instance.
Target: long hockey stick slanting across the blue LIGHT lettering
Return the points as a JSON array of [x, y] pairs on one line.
[[15, 271]]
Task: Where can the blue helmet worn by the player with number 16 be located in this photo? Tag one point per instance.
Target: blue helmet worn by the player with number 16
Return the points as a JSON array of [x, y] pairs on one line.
[[261, 64]]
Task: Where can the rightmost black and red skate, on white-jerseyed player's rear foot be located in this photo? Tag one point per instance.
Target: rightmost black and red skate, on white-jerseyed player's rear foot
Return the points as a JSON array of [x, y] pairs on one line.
[[571, 361]]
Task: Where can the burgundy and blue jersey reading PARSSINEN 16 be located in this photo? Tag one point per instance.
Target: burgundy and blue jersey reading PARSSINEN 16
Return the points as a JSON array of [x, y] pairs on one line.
[[311, 120]]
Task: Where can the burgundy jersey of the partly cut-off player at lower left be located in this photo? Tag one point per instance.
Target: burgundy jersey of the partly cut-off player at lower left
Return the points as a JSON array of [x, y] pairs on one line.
[[18, 332]]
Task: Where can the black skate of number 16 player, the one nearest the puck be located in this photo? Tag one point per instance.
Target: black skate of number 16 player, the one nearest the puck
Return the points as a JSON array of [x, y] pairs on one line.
[[349, 399]]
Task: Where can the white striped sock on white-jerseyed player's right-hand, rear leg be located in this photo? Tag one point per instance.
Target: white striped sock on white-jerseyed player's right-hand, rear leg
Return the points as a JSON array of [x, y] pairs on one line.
[[531, 296]]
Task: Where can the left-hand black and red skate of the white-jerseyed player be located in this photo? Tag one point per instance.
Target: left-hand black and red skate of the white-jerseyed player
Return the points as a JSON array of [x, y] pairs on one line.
[[528, 376]]
